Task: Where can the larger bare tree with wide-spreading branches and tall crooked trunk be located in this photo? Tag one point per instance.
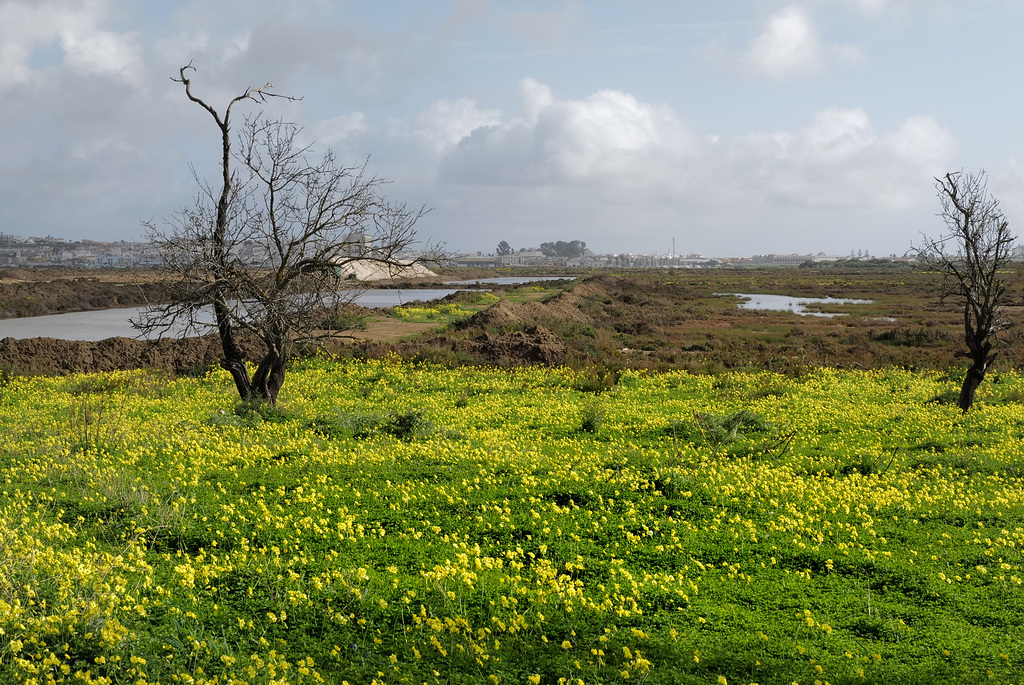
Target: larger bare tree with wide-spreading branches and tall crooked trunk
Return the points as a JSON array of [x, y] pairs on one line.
[[267, 250]]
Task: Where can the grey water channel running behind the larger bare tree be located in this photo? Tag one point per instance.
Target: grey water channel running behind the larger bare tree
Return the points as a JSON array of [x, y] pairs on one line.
[[99, 325]]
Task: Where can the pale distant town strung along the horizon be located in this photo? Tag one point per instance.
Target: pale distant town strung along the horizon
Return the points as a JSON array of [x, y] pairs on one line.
[[17, 251]]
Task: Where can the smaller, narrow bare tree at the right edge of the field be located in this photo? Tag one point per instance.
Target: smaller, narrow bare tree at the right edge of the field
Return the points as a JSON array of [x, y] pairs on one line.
[[970, 256]]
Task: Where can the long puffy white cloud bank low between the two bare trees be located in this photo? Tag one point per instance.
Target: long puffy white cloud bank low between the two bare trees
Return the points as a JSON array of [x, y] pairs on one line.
[[613, 157]]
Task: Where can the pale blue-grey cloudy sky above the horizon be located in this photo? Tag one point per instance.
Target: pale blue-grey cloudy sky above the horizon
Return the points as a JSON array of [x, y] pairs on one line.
[[644, 126]]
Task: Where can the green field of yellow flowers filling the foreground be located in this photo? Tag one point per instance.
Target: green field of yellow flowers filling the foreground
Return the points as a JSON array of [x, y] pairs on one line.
[[400, 524]]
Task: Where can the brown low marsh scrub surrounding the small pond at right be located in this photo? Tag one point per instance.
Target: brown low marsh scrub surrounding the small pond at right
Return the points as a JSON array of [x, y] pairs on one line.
[[667, 321]]
